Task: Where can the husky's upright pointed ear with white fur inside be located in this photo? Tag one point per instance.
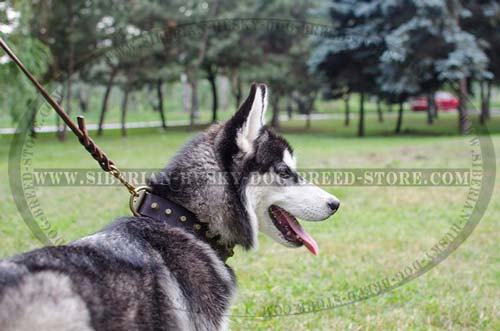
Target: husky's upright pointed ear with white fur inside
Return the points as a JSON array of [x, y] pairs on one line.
[[250, 117]]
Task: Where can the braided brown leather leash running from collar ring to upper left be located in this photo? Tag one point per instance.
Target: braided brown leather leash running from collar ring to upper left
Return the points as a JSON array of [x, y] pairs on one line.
[[80, 131]]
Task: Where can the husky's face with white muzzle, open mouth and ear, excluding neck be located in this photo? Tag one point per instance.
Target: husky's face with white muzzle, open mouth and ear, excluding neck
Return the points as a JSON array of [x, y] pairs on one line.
[[273, 193]]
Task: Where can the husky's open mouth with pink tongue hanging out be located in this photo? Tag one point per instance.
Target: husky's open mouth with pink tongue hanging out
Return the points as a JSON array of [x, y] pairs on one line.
[[291, 230]]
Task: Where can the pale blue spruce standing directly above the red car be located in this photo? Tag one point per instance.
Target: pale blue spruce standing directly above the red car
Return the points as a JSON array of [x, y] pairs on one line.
[[428, 49]]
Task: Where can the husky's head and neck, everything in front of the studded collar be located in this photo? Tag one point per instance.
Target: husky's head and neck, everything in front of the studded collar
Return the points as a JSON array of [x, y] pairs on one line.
[[261, 189]]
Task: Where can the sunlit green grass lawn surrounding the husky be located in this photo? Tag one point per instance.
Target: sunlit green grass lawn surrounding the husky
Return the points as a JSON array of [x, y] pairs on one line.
[[376, 233]]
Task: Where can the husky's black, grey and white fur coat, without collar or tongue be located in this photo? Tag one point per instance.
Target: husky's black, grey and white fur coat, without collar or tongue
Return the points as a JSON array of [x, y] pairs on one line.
[[142, 274]]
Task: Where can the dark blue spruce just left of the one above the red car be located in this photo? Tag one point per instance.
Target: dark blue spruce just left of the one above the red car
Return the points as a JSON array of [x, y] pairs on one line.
[[350, 58]]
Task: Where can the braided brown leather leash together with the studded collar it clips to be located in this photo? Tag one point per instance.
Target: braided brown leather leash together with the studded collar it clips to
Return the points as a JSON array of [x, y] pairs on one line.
[[142, 201]]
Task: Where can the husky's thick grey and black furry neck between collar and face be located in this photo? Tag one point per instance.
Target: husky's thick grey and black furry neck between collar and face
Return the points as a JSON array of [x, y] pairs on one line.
[[188, 181]]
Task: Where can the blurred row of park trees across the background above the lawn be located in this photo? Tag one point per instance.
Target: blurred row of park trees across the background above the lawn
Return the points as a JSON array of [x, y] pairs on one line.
[[379, 53]]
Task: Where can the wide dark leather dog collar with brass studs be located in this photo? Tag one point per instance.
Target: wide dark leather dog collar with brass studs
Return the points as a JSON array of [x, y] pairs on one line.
[[158, 208]]
